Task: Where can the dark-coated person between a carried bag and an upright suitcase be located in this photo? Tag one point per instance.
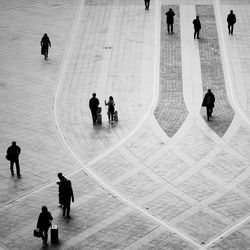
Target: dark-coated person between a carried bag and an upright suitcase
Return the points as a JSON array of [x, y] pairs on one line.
[[44, 223]]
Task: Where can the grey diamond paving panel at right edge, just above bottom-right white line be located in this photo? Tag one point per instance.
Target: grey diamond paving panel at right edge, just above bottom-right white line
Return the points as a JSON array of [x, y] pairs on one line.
[[232, 205]]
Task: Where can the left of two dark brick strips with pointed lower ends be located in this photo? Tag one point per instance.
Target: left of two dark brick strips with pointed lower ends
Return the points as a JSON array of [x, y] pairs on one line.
[[170, 111]]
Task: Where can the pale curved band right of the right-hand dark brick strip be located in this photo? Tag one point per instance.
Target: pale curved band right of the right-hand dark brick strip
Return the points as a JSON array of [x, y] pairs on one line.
[[226, 63]]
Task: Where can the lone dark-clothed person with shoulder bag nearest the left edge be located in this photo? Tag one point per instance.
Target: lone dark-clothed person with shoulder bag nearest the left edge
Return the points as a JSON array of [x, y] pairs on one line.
[[13, 153]]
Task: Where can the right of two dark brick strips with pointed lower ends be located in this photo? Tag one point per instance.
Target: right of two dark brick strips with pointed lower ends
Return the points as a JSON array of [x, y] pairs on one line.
[[212, 71]]
